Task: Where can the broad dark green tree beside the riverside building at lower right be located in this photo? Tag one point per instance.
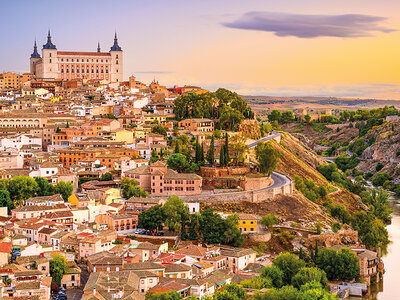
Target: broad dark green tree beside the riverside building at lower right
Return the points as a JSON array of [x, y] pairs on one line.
[[338, 265]]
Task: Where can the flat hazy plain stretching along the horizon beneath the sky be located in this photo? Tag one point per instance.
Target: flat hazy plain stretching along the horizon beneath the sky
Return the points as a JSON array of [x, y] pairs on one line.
[[315, 103]]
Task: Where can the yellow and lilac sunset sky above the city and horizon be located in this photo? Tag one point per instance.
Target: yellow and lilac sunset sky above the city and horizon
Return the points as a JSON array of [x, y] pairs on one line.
[[342, 48]]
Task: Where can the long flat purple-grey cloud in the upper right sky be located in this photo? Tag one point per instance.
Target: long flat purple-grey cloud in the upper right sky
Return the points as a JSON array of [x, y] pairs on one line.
[[311, 26]]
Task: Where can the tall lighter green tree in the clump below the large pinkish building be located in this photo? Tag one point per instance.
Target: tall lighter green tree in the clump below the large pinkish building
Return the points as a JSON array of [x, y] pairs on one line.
[[176, 213]]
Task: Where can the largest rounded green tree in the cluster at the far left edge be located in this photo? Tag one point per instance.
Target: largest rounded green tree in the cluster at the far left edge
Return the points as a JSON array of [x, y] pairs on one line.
[[22, 188]]
